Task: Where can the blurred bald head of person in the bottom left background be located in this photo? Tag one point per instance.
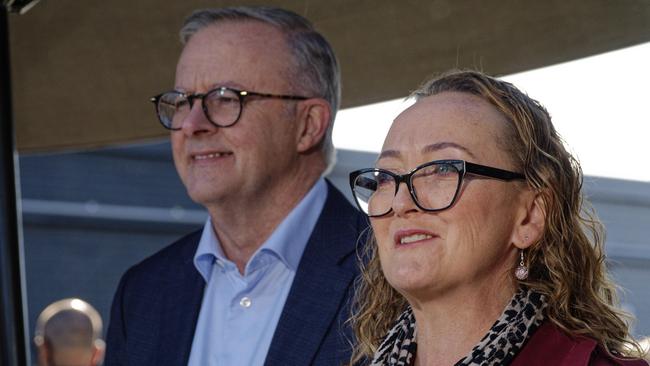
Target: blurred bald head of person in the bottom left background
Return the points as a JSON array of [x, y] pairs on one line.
[[68, 333]]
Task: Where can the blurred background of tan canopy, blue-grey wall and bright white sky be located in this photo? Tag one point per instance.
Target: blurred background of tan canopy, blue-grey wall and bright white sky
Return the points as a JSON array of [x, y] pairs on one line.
[[98, 191]]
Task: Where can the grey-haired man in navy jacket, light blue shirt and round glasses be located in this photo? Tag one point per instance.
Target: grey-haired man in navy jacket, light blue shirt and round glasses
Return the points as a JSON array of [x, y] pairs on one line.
[[268, 280]]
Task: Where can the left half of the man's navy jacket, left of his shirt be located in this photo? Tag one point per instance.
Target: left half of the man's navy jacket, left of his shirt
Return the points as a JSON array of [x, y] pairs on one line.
[[155, 308]]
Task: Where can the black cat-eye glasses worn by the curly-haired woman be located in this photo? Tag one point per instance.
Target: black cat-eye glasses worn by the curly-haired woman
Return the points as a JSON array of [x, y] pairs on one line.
[[434, 186]]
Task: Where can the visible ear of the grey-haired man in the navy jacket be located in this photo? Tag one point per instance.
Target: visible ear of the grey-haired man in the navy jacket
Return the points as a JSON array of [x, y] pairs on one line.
[[313, 121]]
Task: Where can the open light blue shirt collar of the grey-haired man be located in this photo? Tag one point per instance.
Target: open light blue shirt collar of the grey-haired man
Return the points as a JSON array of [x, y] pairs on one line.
[[287, 242]]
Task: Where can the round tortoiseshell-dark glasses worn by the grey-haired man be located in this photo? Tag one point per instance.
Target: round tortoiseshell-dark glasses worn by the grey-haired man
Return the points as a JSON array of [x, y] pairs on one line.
[[222, 106]]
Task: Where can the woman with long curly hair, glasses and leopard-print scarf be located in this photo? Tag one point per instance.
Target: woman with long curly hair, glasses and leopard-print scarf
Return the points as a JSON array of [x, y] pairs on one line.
[[482, 253]]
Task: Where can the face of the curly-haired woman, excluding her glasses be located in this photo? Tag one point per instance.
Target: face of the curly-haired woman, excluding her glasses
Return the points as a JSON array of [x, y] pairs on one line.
[[468, 246]]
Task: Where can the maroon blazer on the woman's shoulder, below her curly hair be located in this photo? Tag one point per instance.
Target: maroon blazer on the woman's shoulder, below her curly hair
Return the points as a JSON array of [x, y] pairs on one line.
[[551, 346]]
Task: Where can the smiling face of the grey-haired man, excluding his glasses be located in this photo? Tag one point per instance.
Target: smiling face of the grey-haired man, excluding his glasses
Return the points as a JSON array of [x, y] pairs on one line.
[[242, 162]]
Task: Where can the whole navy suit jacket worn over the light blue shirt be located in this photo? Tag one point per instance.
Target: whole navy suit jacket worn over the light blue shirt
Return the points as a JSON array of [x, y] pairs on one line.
[[157, 302]]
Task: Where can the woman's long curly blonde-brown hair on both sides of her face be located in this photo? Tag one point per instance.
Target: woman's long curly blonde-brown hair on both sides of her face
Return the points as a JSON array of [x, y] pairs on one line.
[[567, 264]]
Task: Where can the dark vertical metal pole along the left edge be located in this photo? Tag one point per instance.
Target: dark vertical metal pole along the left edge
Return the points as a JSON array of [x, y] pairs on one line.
[[13, 347]]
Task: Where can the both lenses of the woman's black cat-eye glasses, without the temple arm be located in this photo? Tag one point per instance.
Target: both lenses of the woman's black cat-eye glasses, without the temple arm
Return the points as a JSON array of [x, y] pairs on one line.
[[434, 187]]
